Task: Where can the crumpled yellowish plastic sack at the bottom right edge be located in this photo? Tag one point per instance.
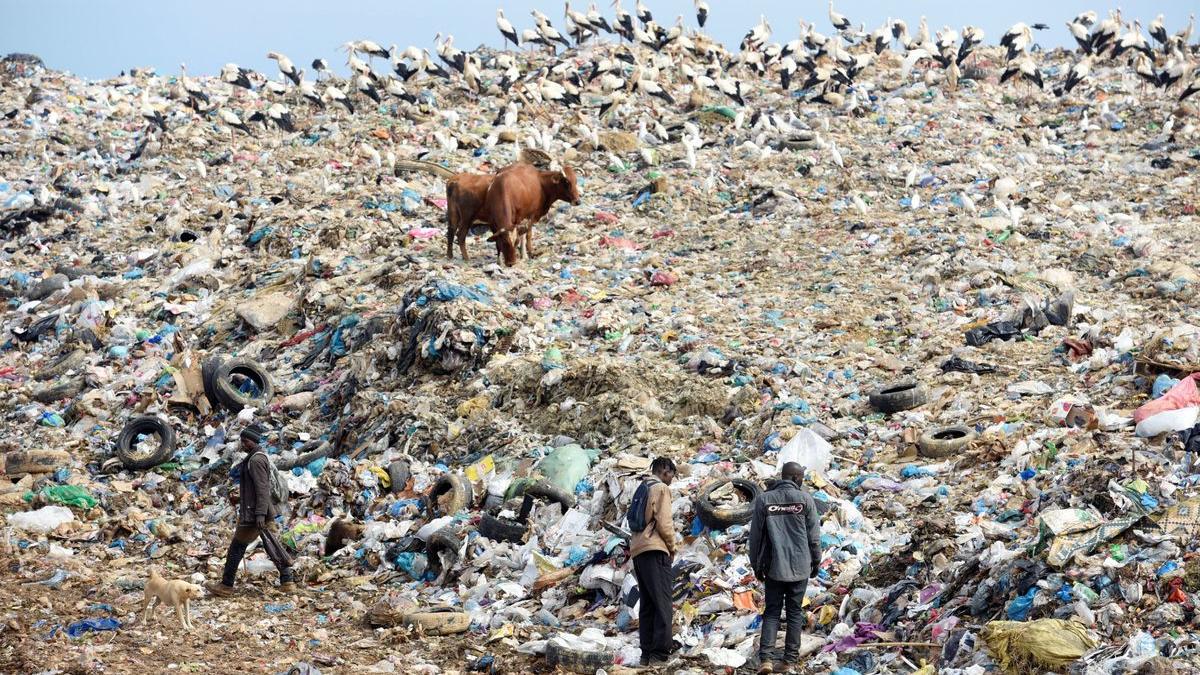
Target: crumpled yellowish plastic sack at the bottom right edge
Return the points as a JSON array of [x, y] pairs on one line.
[[1036, 647]]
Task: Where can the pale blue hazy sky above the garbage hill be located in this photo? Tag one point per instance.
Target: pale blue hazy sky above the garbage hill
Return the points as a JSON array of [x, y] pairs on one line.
[[101, 38]]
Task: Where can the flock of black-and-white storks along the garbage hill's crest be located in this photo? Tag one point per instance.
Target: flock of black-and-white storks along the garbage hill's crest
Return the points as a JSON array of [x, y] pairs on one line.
[[656, 65]]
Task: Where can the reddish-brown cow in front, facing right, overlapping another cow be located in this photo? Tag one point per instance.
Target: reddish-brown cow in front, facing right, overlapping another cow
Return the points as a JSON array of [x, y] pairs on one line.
[[521, 196]]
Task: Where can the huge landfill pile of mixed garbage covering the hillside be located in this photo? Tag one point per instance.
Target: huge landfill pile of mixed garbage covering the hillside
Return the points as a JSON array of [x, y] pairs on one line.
[[968, 309]]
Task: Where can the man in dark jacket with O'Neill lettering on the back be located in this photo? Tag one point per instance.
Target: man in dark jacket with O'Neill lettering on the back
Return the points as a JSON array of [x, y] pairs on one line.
[[785, 551]]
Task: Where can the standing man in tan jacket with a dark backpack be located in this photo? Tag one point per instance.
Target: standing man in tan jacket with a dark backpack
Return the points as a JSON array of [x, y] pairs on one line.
[[653, 551]]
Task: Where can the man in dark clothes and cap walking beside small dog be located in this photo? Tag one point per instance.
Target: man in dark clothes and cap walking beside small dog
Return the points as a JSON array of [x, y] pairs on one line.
[[256, 517]]
